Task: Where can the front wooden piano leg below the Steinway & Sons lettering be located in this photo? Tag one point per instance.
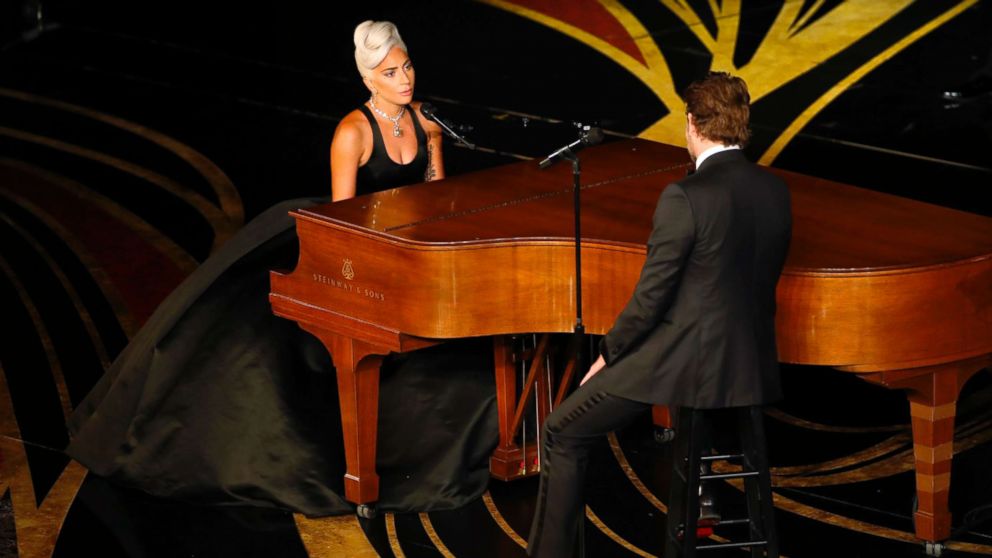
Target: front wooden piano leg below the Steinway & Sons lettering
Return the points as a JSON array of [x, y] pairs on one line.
[[357, 364]]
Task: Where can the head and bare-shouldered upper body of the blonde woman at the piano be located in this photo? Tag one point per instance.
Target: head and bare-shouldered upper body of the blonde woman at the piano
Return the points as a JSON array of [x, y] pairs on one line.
[[386, 142]]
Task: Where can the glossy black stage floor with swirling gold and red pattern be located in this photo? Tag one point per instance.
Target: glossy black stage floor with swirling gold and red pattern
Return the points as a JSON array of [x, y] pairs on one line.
[[163, 128]]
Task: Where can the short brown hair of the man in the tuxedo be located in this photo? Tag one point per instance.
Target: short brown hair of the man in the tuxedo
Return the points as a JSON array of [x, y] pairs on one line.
[[720, 107]]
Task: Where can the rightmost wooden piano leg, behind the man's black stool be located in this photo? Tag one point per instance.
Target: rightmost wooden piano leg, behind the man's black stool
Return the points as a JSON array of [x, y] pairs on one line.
[[933, 393]]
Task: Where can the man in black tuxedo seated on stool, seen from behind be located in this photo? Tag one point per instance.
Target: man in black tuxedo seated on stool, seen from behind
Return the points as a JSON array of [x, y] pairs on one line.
[[699, 329]]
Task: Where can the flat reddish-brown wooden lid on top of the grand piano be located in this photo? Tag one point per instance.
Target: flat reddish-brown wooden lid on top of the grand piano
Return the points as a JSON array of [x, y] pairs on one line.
[[838, 229]]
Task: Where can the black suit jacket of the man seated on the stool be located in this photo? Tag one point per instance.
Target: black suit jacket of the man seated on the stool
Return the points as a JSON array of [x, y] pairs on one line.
[[700, 327]]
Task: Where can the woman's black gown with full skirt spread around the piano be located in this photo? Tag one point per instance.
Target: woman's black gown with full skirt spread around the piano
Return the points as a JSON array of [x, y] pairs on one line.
[[218, 401]]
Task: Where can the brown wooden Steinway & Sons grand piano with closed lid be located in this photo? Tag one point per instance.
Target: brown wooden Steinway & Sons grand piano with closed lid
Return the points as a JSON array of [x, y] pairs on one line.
[[896, 291]]
